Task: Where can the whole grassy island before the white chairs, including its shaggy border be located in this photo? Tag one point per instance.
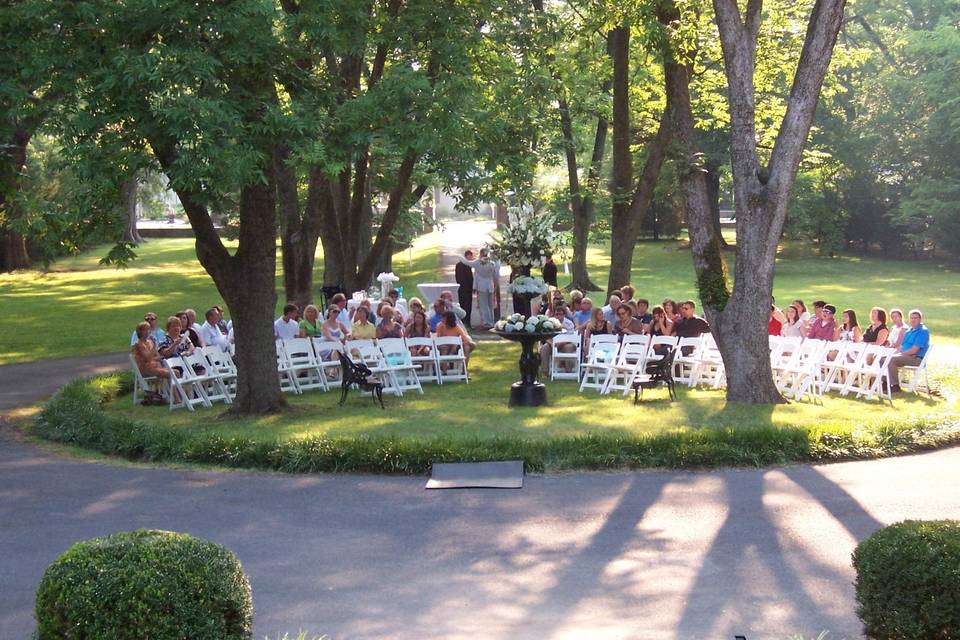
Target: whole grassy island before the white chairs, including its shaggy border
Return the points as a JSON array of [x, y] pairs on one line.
[[460, 422]]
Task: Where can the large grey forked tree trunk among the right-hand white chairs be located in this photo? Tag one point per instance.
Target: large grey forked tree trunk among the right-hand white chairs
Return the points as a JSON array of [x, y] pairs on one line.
[[740, 319]]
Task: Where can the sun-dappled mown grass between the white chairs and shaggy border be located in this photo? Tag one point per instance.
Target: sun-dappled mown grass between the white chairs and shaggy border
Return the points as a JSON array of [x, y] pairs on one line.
[[479, 411]]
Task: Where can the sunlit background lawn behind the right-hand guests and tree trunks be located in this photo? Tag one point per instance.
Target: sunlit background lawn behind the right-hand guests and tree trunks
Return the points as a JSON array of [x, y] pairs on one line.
[[665, 269]]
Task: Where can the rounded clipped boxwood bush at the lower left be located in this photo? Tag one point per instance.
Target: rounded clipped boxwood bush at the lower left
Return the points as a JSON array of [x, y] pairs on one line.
[[145, 584]]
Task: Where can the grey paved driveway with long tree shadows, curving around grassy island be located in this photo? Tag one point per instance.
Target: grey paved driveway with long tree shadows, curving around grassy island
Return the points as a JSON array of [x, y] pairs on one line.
[[631, 555]]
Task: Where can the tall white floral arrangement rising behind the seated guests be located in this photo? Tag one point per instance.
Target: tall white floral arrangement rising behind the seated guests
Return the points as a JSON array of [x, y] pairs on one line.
[[527, 239]]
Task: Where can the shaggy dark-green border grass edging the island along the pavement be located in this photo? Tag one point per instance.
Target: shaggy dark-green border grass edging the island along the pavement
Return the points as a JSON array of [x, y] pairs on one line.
[[75, 416]]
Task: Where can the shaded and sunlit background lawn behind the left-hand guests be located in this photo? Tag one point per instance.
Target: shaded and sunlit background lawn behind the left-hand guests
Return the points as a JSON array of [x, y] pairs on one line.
[[79, 307]]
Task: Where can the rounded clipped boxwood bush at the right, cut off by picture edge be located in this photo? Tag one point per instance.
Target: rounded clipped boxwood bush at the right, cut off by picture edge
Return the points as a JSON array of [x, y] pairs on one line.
[[908, 581]]
